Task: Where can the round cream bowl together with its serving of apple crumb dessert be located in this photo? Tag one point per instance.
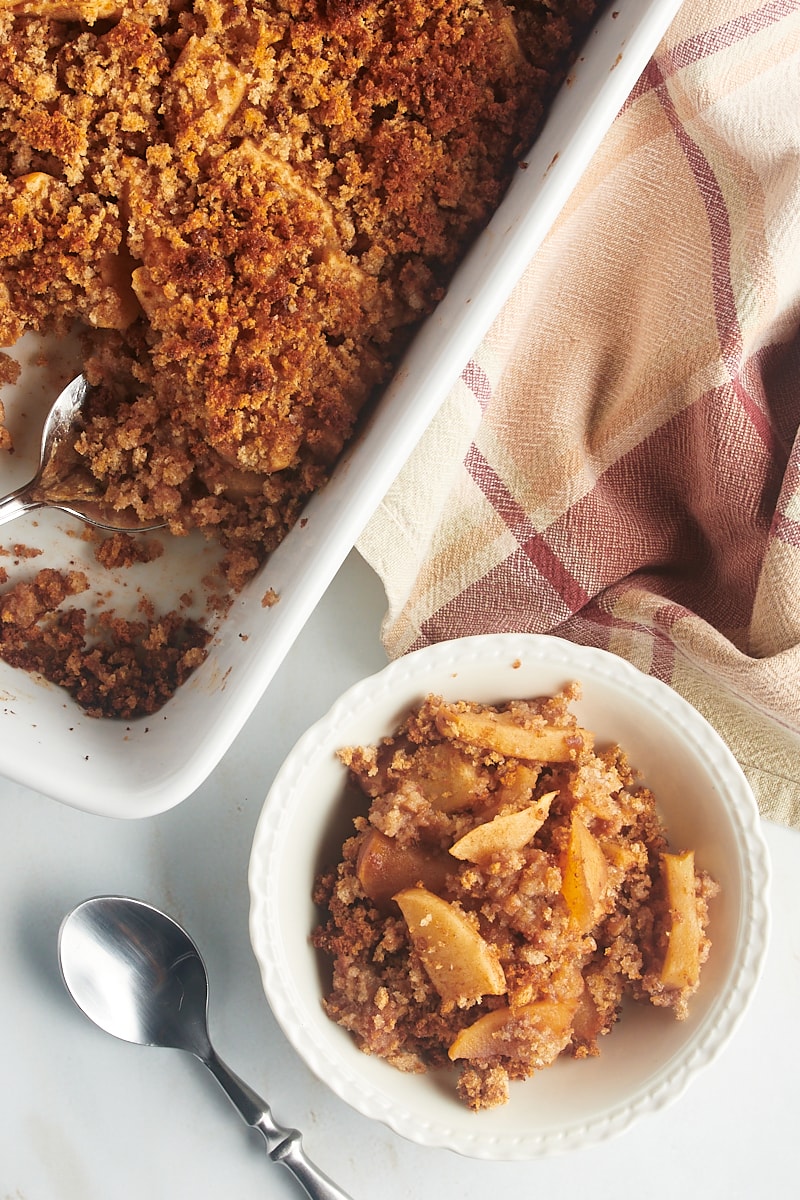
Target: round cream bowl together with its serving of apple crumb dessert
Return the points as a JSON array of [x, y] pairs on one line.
[[599, 993]]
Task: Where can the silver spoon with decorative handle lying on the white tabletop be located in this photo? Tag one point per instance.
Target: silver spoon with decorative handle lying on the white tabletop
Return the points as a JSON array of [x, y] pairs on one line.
[[139, 975]]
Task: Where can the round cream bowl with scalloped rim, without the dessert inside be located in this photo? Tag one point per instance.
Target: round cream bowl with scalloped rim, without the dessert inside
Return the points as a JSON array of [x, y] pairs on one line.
[[649, 1058]]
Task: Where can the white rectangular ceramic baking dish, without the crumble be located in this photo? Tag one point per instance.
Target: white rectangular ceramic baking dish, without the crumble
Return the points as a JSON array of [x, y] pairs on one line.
[[139, 769]]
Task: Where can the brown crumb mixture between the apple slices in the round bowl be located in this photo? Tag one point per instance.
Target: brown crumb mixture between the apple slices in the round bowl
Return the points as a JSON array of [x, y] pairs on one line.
[[381, 991]]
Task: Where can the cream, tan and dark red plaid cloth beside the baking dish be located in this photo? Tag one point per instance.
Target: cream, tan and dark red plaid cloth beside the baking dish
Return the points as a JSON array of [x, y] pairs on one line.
[[621, 461]]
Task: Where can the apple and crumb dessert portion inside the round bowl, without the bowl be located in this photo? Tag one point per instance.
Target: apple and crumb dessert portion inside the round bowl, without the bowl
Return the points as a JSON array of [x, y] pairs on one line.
[[509, 889]]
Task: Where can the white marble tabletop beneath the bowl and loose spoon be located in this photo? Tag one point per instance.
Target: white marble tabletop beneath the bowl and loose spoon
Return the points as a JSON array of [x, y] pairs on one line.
[[87, 1118]]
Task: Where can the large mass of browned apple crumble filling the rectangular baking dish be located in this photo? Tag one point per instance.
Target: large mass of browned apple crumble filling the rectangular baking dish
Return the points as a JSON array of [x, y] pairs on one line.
[[248, 207]]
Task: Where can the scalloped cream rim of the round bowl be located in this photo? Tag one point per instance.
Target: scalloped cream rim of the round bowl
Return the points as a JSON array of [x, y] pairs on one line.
[[667, 1083]]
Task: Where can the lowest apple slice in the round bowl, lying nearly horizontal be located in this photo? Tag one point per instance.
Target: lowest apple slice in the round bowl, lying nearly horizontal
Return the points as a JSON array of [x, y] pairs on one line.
[[513, 1033]]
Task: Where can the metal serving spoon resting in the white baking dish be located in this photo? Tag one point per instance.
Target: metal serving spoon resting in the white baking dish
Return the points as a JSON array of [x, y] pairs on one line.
[[61, 484]]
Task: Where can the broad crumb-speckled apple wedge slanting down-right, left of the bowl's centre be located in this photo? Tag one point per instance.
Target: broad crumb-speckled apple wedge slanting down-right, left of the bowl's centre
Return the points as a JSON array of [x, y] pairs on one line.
[[461, 964]]
